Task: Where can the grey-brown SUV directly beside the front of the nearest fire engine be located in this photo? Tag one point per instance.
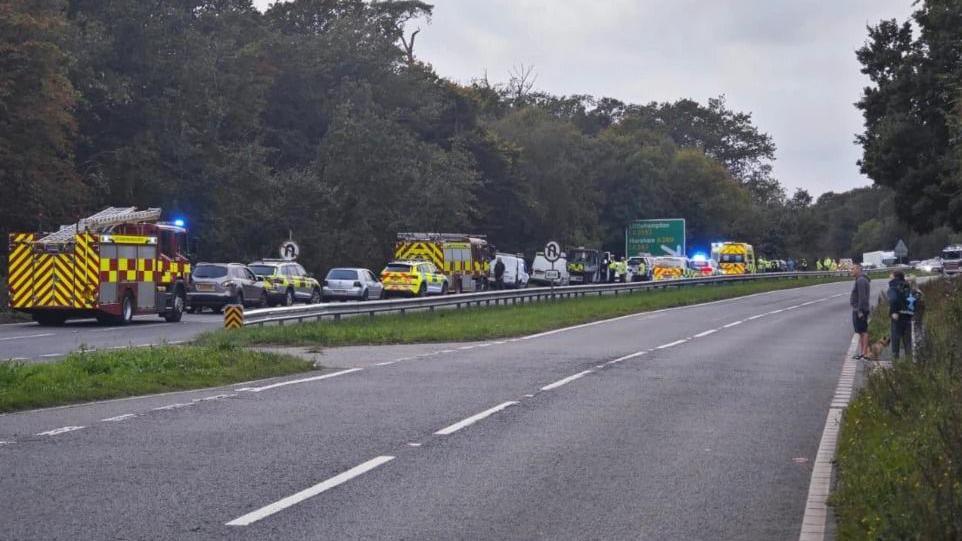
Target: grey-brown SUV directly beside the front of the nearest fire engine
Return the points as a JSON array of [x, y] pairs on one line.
[[215, 285]]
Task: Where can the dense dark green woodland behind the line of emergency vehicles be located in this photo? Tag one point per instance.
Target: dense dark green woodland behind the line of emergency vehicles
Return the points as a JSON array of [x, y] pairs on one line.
[[316, 119]]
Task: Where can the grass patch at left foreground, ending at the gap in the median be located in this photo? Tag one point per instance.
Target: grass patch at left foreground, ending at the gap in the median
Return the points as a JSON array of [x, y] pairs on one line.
[[86, 376]]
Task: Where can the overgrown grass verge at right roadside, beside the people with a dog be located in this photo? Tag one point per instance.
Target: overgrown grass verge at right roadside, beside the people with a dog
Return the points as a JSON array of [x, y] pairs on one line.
[[900, 449]]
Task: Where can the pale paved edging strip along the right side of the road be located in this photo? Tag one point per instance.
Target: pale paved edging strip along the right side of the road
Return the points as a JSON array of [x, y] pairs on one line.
[[816, 508]]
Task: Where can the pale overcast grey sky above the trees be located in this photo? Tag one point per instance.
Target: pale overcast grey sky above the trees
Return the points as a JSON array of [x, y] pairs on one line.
[[789, 63]]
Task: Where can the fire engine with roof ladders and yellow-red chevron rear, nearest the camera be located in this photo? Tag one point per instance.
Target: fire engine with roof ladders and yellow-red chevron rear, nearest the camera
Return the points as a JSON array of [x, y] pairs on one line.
[[113, 265]]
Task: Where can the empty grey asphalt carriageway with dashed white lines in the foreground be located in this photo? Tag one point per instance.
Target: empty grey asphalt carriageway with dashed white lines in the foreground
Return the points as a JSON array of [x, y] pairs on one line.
[[691, 423]]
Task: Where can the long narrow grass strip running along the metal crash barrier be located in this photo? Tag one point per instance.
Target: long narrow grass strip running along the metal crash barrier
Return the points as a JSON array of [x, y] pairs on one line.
[[488, 322]]
